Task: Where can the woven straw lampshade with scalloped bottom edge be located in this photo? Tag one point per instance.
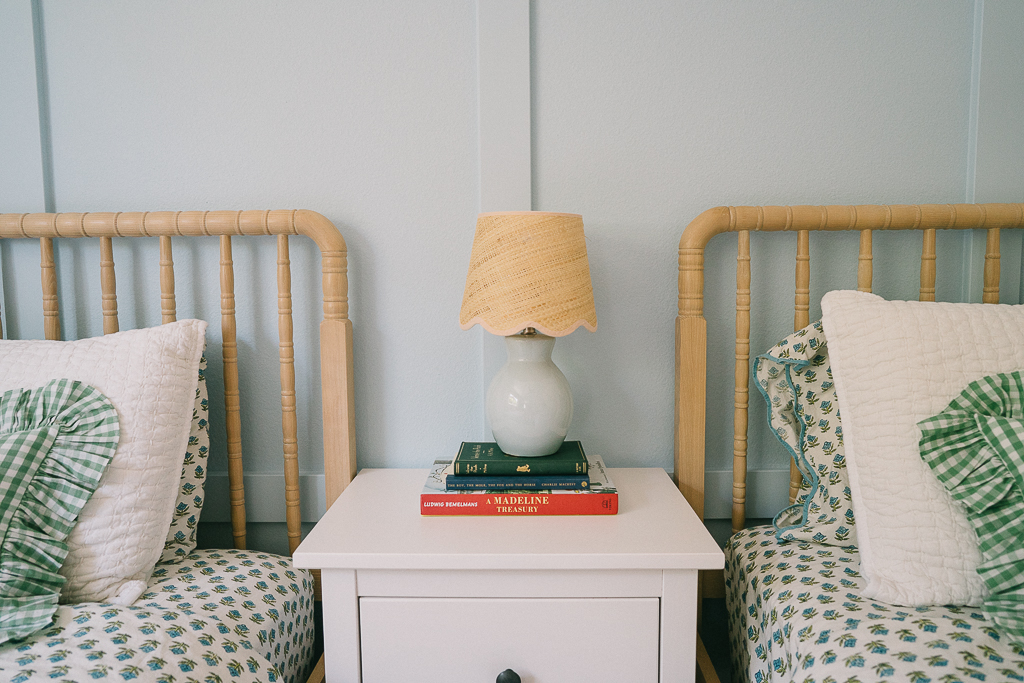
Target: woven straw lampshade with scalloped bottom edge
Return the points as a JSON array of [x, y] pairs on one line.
[[529, 270]]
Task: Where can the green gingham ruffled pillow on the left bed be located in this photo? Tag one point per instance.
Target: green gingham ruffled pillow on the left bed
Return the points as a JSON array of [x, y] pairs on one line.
[[56, 443]]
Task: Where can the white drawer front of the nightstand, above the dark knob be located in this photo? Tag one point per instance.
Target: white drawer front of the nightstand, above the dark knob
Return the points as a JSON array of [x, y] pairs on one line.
[[549, 641]]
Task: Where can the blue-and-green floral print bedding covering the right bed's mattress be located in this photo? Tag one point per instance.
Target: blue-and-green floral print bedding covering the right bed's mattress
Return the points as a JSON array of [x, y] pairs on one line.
[[796, 615]]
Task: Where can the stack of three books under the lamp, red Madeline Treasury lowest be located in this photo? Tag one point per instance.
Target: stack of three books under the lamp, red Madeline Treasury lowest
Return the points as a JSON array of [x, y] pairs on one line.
[[483, 481]]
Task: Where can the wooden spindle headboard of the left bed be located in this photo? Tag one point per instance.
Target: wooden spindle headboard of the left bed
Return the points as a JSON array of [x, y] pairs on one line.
[[335, 331]]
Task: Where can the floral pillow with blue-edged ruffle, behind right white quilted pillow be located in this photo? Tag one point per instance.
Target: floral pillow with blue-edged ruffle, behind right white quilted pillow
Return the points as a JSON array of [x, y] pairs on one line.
[[795, 379]]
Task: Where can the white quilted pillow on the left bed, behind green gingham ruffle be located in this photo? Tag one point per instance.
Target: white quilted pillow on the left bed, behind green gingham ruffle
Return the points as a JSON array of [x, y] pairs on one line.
[[150, 376]]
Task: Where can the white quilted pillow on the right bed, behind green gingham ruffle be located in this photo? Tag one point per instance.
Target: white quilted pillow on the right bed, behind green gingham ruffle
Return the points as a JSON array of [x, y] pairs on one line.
[[897, 363]]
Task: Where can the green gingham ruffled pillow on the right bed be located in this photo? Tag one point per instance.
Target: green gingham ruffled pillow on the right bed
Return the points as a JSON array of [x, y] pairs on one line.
[[975, 448]]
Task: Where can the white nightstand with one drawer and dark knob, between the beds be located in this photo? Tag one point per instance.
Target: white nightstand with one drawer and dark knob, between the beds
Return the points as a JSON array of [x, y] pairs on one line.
[[557, 600]]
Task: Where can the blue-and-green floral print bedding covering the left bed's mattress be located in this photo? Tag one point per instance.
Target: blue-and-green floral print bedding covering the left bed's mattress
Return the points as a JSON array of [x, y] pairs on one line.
[[216, 616]]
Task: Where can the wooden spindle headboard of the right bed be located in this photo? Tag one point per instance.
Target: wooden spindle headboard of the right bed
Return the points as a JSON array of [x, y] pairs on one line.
[[692, 329]]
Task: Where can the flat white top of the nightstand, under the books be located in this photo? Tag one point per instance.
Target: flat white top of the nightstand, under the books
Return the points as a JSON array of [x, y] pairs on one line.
[[376, 525]]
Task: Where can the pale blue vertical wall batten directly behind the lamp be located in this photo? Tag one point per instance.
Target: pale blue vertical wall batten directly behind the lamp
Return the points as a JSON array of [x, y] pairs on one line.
[[504, 106]]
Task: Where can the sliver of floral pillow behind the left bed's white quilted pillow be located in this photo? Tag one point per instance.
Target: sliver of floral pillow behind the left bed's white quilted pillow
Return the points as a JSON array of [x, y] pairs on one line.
[[182, 536]]
